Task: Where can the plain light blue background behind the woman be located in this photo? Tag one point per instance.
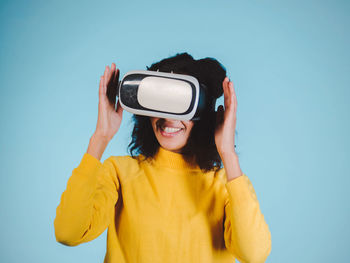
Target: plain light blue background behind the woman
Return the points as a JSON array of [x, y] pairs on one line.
[[289, 61]]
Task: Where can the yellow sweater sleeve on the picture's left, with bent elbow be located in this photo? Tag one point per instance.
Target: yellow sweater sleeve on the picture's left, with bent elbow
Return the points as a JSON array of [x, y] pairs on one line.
[[87, 204]]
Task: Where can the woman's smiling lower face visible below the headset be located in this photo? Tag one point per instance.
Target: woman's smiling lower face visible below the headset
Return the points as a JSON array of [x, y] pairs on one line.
[[172, 135]]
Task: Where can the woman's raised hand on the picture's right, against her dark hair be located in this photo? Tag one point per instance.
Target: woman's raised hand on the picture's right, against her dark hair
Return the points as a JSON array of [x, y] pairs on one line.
[[226, 121]]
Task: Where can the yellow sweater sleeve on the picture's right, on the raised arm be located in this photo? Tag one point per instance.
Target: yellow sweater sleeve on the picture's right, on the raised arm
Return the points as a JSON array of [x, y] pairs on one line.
[[246, 233]]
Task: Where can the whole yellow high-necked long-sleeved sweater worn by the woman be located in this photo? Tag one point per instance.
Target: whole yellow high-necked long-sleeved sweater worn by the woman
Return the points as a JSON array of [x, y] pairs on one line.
[[162, 211]]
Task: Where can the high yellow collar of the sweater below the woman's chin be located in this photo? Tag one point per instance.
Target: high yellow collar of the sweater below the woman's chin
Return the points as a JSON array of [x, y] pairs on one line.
[[172, 160]]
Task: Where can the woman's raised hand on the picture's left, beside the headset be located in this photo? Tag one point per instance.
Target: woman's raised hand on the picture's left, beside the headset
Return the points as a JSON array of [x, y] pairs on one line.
[[109, 117]]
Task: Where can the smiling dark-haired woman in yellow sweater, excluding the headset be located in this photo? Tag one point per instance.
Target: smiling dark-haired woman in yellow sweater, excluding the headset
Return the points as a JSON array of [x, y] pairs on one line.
[[171, 200]]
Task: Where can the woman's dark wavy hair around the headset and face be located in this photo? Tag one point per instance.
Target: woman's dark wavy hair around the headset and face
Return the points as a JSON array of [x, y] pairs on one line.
[[200, 148]]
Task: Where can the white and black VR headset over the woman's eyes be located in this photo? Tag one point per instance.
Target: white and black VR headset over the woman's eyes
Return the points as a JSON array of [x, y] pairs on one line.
[[164, 95]]
